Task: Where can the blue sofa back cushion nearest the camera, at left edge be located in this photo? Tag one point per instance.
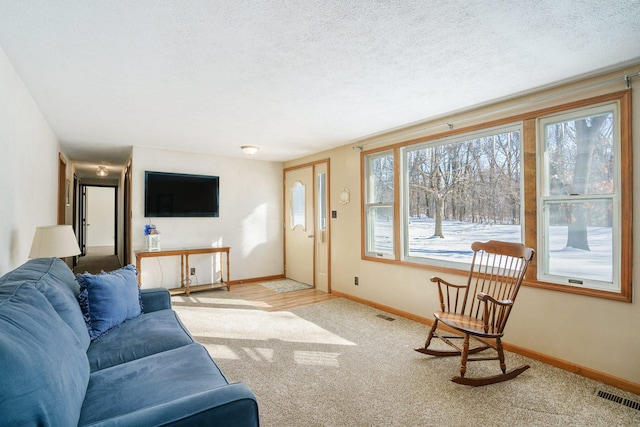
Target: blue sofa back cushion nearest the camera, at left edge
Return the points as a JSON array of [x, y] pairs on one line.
[[44, 370]]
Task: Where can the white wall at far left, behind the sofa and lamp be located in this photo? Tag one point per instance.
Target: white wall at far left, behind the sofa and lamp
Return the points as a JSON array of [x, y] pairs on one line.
[[29, 165]]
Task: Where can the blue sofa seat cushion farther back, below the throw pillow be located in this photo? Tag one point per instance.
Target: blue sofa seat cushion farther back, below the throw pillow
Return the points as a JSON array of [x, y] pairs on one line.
[[142, 336]]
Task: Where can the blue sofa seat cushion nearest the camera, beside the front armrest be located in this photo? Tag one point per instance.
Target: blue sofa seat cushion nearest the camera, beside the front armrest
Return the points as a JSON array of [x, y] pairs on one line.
[[148, 388]]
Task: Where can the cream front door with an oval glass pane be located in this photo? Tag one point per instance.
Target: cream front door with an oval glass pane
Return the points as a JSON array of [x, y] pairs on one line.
[[299, 225]]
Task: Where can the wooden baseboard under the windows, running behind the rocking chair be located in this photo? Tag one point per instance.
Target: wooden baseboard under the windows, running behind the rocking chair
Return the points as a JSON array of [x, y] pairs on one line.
[[584, 371]]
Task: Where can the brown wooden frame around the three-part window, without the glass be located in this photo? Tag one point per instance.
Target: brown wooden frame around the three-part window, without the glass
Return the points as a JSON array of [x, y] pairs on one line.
[[530, 179]]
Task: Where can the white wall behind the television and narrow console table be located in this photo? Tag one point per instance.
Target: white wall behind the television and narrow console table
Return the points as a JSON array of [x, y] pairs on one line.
[[250, 220]]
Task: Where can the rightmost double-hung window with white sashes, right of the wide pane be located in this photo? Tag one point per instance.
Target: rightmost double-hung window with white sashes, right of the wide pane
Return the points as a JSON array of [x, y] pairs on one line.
[[580, 198]]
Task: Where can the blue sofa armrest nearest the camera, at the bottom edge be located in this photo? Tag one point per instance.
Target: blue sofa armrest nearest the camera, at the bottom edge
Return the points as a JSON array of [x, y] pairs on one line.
[[230, 405]]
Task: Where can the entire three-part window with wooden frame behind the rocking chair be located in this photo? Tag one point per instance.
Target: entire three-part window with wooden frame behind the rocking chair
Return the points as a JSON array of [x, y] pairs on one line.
[[559, 180]]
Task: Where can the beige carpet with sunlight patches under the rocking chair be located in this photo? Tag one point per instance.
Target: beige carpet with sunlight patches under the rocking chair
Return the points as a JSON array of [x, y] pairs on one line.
[[337, 364]]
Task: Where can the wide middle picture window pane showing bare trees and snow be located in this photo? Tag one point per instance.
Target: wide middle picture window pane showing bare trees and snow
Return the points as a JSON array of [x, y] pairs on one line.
[[459, 190]]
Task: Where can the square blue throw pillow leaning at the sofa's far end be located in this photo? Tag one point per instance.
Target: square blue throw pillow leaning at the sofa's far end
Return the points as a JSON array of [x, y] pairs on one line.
[[108, 299]]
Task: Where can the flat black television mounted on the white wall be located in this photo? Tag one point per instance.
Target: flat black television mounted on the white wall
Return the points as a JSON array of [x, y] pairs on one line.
[[180, 195]]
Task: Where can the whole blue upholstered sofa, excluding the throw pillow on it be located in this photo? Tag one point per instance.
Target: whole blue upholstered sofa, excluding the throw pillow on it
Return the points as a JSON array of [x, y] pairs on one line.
[[148, 371]]
